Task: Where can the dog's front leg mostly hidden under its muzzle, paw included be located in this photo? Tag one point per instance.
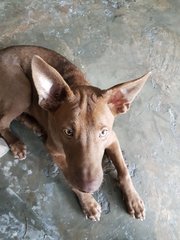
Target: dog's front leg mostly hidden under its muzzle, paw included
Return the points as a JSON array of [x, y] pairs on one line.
[[90, 206]]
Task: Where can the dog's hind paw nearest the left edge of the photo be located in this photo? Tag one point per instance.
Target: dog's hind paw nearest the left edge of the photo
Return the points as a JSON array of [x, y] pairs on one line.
[[18, 150]]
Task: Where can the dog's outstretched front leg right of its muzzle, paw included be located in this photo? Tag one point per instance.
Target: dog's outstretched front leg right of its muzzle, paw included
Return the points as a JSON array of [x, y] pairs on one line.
[[135, 205]]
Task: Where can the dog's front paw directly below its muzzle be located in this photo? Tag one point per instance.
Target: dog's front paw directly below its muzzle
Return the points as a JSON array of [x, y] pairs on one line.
[[92, 210]]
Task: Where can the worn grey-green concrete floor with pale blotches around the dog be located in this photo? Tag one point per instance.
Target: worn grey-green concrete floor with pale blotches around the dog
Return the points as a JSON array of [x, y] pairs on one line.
[[112, 41]]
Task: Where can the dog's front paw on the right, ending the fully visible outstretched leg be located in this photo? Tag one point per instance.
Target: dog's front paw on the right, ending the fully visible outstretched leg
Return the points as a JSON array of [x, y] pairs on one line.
[[135, 206]]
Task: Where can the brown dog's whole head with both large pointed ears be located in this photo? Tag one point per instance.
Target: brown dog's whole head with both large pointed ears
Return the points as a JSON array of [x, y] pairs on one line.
[[81, 120]]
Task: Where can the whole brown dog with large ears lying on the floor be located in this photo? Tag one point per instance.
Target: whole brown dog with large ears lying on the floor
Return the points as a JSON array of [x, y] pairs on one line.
[[76, 117]]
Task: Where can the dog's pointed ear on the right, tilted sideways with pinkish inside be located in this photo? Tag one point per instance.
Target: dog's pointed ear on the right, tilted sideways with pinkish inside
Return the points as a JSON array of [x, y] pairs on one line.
[[121, 96]]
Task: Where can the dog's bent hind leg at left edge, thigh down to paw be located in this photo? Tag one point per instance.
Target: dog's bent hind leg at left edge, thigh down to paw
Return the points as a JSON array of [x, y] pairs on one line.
[[15, 98]]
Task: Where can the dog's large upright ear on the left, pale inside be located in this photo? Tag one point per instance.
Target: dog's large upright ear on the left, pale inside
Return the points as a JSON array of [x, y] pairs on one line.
[[50, 86]]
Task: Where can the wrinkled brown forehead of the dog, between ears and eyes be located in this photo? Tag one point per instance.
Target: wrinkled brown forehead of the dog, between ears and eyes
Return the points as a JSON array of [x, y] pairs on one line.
[[88, 106]]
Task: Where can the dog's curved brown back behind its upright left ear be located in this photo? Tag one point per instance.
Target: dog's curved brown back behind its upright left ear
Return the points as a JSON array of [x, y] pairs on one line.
[[19, 57]]
